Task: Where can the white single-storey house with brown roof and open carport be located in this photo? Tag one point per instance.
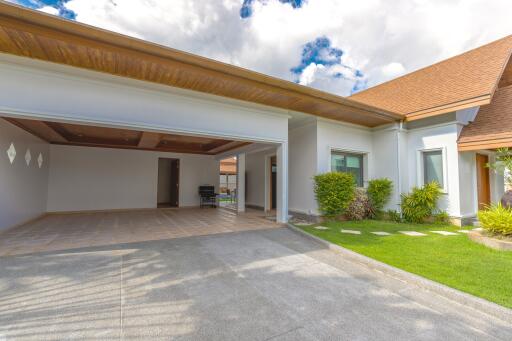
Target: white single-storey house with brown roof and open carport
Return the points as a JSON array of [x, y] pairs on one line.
[[89, 115]]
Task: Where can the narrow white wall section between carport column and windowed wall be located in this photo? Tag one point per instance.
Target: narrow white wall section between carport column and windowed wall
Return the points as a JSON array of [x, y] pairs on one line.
[[302, 168]]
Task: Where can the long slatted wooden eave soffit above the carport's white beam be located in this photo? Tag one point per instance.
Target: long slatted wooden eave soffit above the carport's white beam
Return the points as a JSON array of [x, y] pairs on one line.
[[33, 34]]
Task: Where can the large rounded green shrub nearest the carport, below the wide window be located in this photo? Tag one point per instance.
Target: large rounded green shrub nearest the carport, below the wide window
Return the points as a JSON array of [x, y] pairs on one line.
[[334, 191]]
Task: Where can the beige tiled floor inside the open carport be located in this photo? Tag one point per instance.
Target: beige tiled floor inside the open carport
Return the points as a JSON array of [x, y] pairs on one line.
[[69, 231]]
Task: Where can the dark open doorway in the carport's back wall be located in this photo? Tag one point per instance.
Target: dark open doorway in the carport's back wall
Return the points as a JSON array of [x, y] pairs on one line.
[[168, 182]]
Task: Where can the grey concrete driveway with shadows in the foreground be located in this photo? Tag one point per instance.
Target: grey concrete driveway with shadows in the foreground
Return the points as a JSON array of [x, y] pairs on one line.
[[253, 285]]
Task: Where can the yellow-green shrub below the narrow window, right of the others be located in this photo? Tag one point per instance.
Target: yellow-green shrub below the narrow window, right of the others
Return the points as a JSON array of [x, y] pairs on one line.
[[420, 203]]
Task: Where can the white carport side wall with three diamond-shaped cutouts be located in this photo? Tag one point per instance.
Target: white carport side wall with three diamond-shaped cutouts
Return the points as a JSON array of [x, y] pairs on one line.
[[23, 189]]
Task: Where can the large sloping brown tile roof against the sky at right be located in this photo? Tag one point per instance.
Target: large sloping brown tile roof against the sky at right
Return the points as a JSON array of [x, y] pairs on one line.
[[462, 81]]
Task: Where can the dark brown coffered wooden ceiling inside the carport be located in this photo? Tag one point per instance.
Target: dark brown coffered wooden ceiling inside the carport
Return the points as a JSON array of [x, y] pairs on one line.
[[91, 136]]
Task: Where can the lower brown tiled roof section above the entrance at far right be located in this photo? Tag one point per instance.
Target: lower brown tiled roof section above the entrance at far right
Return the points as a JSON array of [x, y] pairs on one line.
[[492, 127]]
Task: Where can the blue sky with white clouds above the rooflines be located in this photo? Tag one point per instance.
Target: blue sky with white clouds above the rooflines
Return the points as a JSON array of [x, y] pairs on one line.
[[340, 46]]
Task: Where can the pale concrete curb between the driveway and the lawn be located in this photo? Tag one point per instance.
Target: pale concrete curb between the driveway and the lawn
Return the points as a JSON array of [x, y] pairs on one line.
[[476, 303]]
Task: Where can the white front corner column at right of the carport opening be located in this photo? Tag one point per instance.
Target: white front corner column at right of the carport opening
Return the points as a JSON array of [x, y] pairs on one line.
[[282, 182]]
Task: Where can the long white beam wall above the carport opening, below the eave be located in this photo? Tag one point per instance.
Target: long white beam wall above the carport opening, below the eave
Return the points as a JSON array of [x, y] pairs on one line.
[[59, 92]]
